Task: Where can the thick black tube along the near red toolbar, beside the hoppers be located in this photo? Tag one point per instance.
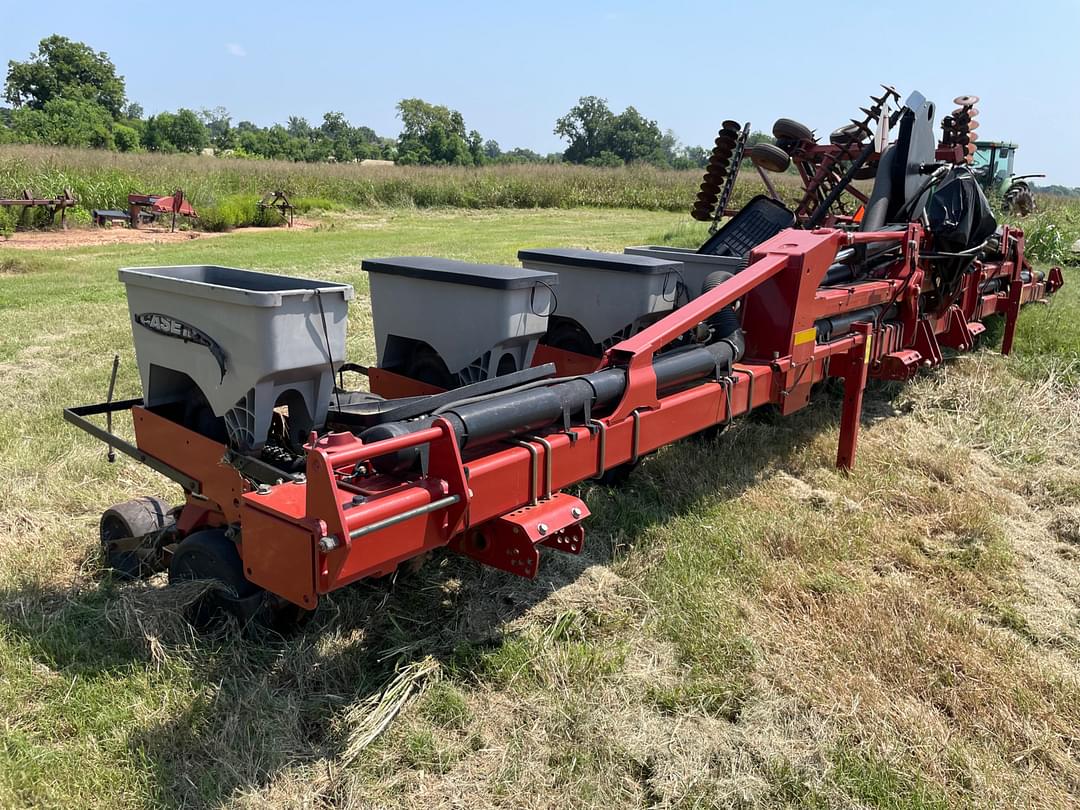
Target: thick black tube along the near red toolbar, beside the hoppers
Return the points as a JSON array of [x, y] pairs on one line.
[[538, 406]]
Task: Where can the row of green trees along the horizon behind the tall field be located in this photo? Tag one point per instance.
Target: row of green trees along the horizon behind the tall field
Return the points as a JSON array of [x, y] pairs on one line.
[[69, 94]]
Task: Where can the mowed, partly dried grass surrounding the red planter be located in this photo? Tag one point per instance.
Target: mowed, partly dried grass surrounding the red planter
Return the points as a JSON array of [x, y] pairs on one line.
[[747, 627]]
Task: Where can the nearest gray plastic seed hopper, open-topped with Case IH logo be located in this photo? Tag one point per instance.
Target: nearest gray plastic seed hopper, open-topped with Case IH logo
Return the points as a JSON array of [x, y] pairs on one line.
[[247, 342]]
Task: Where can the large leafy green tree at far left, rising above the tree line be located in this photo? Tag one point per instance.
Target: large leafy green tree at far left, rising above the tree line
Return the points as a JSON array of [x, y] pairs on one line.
[[62, 69]]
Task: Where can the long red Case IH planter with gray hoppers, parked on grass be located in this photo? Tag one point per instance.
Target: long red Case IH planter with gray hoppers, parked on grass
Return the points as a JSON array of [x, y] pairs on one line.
[[498, 387]]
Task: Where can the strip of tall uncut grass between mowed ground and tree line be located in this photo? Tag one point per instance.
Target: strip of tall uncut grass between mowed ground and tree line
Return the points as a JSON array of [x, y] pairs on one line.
[[104, 180]]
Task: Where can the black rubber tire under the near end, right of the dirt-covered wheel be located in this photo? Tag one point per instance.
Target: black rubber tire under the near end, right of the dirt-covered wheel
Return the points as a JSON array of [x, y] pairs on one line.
[[210, 555]]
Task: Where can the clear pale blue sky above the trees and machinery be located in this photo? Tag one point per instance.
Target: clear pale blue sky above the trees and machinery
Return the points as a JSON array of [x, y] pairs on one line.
[[514, 69]]
